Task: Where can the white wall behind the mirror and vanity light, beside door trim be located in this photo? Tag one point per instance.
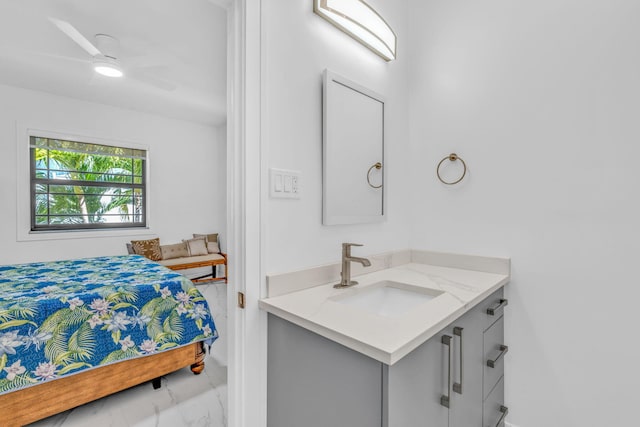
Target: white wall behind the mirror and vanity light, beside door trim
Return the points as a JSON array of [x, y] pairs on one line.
[[297, 46]]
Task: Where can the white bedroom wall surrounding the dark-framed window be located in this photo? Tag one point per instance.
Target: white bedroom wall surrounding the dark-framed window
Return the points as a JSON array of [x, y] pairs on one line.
[[187, 170]]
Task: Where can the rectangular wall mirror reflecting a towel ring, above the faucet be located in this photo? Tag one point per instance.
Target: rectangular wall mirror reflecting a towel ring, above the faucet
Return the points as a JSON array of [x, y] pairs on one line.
[[353, 153]]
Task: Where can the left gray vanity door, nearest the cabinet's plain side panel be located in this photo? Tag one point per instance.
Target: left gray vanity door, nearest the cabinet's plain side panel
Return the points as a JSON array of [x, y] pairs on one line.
[[415, 385]]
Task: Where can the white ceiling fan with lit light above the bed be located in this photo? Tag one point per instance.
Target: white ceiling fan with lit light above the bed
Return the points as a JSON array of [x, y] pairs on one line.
[[105, 56]]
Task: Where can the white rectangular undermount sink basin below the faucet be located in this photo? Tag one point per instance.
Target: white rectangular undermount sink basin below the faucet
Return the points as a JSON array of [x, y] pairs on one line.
[[387, 298]]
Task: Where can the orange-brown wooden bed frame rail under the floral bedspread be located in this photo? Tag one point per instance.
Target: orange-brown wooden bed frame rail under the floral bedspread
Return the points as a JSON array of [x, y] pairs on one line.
[[49, 398]]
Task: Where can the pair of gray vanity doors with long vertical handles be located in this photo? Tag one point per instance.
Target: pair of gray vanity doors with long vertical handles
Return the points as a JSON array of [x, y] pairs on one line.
[[439, 384]]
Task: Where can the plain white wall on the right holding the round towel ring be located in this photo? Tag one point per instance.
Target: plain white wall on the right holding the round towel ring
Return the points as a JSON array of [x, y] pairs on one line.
[[541, 99]]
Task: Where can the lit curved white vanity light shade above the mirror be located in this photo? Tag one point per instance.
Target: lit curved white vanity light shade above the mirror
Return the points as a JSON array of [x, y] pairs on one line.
[[360, 21]]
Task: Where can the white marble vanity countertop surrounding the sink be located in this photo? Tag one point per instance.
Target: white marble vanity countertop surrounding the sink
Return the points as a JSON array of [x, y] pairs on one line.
[[388, 339]]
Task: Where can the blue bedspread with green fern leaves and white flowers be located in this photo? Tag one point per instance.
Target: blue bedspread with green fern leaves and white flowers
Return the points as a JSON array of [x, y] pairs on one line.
[[60, 318]]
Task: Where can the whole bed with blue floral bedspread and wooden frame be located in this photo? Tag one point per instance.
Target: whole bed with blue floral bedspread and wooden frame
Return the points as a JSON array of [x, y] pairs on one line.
[[78, 330]]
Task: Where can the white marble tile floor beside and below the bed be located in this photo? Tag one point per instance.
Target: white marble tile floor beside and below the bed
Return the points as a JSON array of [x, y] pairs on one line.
[[183, 400]]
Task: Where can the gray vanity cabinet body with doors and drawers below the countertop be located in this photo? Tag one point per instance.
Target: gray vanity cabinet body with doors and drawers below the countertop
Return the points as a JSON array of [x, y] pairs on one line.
[[445, 382]]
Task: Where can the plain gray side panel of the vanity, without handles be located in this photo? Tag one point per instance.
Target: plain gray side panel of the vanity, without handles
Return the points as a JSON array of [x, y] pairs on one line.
[[314, 382]]
